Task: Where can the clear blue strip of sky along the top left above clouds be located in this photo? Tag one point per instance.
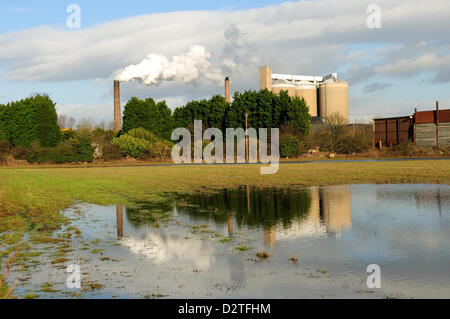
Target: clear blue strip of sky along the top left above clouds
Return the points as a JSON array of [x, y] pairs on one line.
[[18, 15]]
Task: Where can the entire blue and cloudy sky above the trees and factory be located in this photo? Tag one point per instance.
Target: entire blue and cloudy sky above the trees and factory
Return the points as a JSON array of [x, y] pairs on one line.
[[403, 64]]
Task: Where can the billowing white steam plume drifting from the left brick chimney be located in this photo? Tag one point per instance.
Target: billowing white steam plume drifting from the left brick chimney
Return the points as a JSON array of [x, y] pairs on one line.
[[188, 67]]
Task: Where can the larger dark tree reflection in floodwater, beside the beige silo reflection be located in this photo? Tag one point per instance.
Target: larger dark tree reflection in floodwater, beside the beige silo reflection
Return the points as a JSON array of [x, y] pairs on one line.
[[268, 206]]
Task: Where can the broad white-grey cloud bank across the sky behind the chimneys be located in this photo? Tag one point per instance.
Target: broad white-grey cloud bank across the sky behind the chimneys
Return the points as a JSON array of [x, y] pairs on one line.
[[307, 37]]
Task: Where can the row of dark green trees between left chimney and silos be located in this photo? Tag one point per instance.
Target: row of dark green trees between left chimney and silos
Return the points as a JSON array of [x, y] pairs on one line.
[[265, 110]]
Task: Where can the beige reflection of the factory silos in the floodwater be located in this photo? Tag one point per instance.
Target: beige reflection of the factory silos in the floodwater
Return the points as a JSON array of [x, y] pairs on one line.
[[330, 213]]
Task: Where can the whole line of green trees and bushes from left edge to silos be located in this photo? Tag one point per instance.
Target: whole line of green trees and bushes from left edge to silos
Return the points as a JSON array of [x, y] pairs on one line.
[[29, 128]]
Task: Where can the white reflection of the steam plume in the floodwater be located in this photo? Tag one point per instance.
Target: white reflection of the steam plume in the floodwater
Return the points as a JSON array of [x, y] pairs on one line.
[[160, 248]]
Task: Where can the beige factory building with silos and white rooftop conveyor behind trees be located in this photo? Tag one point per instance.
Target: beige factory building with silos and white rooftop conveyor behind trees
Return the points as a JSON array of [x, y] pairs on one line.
[[324, 95]]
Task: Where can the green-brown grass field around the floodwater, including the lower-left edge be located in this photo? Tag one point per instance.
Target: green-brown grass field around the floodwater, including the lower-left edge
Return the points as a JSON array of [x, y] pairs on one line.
[[31, 198]]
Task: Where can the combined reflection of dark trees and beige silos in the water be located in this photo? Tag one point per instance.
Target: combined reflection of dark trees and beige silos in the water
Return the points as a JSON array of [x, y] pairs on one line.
[[282, 213]]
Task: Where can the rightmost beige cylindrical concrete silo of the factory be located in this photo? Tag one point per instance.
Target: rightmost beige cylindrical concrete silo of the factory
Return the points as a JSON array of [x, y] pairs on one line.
[[333, 98]]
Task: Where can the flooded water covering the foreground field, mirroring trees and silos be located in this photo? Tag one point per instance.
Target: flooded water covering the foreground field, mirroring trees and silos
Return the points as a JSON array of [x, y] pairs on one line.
[[256, 242]]
